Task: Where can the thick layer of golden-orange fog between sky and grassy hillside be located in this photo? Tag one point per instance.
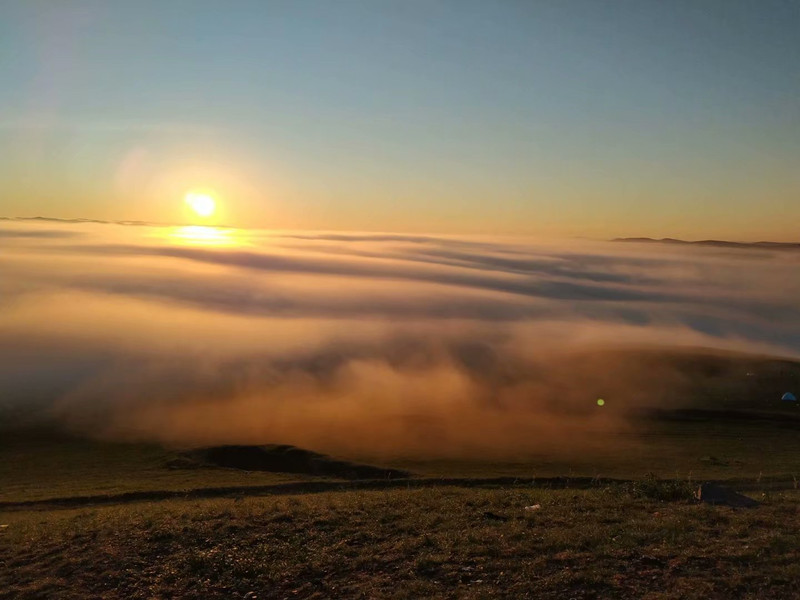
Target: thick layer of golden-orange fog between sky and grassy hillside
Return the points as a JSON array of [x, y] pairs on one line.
[[389, 344]]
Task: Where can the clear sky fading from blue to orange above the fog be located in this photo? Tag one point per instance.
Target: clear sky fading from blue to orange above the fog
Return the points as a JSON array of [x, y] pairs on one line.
[[580, 118]]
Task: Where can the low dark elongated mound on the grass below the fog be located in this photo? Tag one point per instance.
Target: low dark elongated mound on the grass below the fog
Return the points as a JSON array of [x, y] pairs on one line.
[[289, 459]]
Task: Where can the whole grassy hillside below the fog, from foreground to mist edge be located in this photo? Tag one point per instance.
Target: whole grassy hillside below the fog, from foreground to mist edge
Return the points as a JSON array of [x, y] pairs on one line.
[[642, 539]]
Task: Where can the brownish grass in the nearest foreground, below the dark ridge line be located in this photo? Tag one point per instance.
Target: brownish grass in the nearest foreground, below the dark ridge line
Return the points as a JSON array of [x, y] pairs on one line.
[[614, 542]]
